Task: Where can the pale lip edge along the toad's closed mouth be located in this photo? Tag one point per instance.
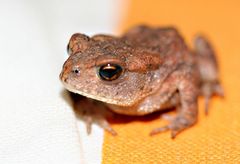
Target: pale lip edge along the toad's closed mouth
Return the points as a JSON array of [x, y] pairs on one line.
[[98, 98]]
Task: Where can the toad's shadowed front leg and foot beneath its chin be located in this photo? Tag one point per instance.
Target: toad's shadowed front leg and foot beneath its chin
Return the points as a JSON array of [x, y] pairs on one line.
[[93, 112]]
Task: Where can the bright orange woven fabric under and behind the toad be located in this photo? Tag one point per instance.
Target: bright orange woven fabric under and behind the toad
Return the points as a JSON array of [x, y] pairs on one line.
[[216, 137]]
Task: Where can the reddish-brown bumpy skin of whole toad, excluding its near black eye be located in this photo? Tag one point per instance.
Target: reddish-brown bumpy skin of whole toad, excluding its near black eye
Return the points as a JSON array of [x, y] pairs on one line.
[[158, 72]]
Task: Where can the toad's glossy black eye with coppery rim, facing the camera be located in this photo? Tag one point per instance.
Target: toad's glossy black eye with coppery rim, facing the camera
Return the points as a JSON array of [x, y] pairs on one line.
[[110, 72]]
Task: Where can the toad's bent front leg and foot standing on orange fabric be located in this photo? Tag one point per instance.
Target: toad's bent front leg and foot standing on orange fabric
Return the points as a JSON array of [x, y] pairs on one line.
[[185, 81]]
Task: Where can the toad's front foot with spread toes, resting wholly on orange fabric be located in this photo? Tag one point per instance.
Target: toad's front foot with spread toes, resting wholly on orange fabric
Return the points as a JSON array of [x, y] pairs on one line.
[[176, 125]]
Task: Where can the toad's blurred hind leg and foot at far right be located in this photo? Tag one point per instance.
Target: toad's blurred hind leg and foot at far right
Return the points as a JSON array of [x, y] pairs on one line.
[[208, 68]]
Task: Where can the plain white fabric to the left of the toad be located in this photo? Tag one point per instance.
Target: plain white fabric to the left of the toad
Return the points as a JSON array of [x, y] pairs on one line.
[[37, 124]]
